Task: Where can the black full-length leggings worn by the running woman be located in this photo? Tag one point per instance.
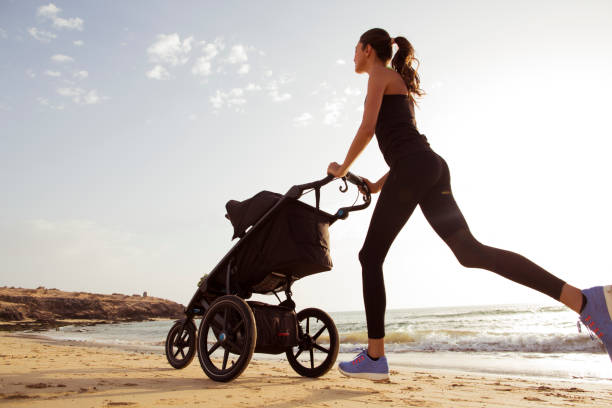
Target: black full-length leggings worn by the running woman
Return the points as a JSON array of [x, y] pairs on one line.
[[423, 178]]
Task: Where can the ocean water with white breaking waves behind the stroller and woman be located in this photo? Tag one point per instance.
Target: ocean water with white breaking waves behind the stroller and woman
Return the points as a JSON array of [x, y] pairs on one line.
[[522, 340]]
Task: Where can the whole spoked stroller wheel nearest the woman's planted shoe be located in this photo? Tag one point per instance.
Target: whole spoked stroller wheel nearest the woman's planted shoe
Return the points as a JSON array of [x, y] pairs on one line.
[[318, 344]]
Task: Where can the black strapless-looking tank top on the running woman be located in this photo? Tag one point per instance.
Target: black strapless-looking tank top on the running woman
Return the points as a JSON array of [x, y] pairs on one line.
[[396, 129]]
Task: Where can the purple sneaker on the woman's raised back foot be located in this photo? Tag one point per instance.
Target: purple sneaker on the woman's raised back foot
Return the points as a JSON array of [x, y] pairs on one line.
[[596, 315]]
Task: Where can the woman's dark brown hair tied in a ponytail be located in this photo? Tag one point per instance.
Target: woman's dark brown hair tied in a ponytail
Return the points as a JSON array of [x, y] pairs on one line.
[[381, 42]]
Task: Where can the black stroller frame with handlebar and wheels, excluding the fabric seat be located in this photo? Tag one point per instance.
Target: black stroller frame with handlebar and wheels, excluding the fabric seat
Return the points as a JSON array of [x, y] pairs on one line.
[[230, 317]]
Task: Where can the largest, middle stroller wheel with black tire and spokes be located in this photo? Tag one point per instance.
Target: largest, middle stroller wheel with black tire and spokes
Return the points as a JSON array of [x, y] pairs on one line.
[[233, 325]]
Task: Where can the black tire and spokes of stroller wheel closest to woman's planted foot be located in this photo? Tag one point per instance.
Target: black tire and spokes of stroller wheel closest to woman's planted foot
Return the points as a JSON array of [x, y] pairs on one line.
[[308, 342]]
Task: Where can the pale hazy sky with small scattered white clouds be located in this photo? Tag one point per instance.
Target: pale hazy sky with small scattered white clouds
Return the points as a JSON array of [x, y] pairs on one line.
[[125, 127]]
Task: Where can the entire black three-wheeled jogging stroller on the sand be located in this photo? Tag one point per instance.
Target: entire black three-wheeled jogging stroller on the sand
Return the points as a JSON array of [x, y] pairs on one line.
[[287, 240]]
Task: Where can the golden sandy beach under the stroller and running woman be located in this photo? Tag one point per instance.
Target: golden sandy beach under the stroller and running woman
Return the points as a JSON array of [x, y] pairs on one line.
[[38, 373]]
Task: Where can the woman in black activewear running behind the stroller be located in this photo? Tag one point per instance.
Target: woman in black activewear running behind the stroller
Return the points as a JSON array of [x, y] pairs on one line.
[[418, 175]]
